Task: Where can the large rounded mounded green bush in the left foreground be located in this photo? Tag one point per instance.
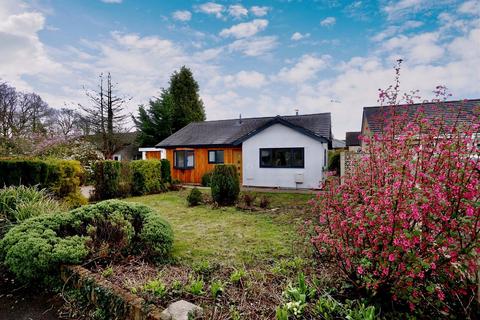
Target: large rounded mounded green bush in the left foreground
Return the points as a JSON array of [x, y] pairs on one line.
[[35, 249]]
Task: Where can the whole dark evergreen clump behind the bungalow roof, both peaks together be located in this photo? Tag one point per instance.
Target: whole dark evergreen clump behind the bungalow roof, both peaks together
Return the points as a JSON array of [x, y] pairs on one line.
[[176, 107]]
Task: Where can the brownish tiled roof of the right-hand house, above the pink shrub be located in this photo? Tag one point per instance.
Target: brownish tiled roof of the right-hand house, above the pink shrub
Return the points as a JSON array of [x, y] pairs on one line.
[[449, 111]]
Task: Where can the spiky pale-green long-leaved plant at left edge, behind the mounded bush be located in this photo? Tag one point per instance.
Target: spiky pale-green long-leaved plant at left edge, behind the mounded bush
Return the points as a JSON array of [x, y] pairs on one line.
[[20, 203]]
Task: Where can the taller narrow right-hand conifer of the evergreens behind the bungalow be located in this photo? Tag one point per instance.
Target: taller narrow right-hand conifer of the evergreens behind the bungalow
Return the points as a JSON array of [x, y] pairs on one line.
[[188, 105]]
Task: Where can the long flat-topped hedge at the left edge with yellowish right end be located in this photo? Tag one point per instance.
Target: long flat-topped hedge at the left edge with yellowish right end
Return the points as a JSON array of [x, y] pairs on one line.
[[61, 177]]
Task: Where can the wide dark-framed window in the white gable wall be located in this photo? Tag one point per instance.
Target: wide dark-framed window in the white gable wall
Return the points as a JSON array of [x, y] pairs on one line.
[[282, 158]]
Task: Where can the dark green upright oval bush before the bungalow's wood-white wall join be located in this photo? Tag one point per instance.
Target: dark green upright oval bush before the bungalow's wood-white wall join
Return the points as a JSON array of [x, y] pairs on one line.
[[225, 184]]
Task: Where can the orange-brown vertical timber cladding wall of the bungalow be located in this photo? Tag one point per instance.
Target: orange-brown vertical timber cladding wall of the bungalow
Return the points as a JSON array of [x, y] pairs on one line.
[[231, 156]]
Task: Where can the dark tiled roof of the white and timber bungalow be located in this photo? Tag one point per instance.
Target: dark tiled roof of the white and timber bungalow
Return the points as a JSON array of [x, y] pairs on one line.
[[234, 131]]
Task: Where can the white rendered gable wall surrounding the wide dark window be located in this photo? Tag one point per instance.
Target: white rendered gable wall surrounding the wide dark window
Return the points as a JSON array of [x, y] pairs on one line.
[[280, 136]]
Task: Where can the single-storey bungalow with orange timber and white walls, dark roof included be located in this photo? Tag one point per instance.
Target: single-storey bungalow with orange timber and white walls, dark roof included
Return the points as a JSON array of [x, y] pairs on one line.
[[280, 152]]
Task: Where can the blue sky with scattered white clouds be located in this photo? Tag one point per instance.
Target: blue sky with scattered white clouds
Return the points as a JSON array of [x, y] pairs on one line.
[[251, 57]]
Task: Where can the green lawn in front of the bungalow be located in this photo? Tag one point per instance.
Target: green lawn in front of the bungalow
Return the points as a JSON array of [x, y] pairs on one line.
[[229, 236]]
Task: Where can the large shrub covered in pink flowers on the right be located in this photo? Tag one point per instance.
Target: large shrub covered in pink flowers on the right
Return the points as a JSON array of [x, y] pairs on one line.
[[406, 221]]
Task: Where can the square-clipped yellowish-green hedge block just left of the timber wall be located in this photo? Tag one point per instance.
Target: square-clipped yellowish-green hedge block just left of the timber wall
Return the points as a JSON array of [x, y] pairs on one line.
[[147, 177]]
